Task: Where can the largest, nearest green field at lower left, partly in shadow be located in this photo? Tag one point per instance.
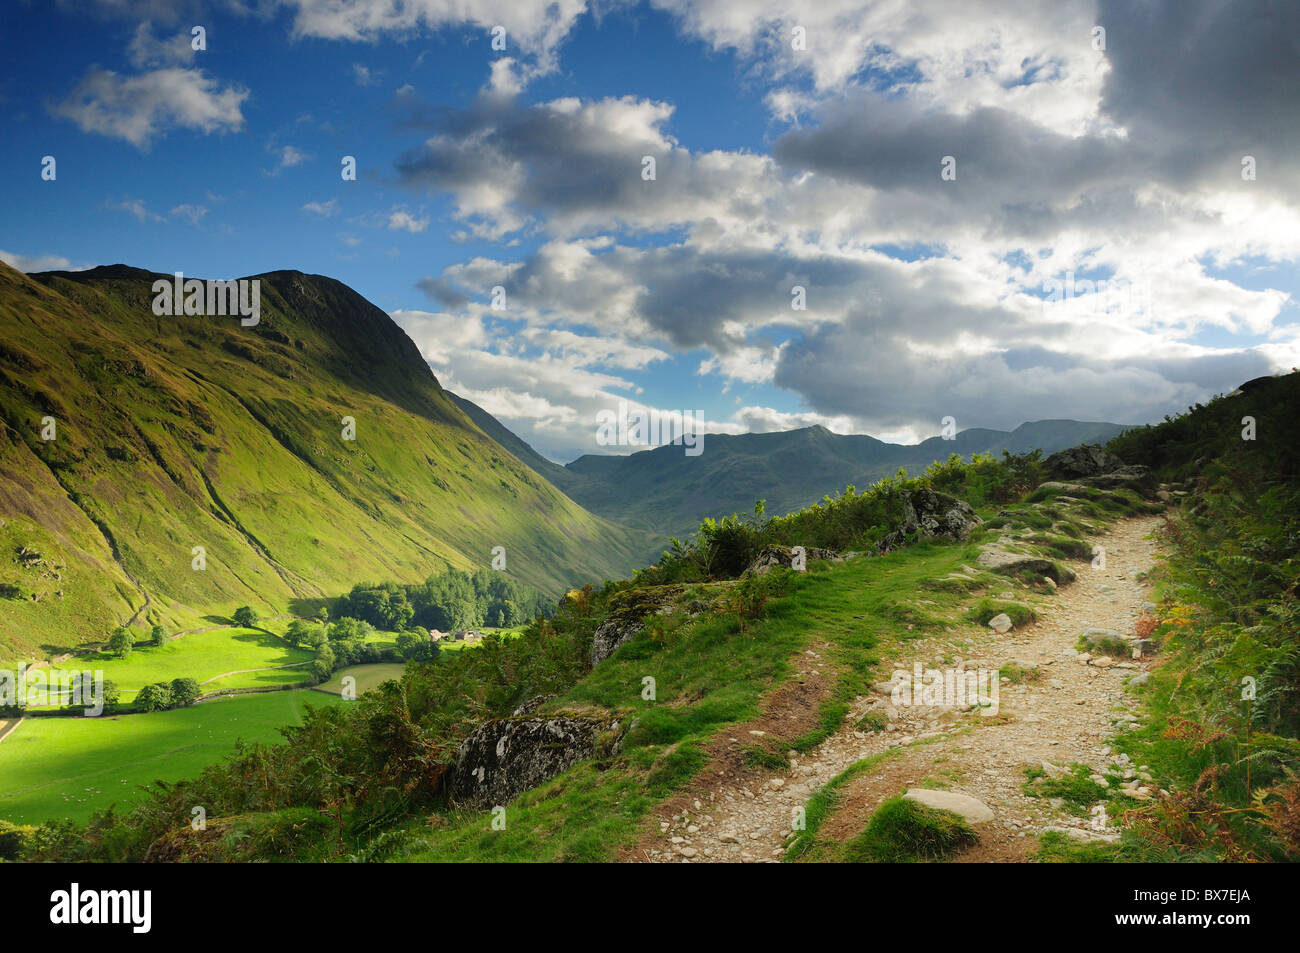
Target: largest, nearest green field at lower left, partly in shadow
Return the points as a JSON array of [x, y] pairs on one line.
[[70, 768]]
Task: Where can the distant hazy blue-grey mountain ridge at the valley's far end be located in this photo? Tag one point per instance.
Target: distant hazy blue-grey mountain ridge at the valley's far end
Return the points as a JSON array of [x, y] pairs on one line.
[[669, 493]]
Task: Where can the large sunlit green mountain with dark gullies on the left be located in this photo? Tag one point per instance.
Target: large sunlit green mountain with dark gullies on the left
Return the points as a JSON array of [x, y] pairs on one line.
[[172, 434]]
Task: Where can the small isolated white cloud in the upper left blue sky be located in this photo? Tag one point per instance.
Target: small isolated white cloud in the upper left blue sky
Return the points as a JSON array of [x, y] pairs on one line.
[[140, 109]]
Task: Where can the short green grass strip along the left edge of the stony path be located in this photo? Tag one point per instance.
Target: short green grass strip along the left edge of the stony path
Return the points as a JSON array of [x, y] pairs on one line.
[[708, 678]]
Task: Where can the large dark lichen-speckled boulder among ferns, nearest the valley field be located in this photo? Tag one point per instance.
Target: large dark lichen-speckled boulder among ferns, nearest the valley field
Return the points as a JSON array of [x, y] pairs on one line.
[[505, 757]]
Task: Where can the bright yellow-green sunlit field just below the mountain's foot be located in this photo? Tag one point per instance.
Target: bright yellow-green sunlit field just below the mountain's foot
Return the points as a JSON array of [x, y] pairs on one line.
[[222, 659]]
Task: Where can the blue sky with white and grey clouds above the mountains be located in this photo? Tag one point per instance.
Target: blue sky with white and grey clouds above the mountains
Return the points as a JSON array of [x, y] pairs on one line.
[[864, 215]]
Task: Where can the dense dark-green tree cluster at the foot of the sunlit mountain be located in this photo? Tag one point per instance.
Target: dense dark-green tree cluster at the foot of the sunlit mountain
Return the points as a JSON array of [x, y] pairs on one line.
[[452, 601]]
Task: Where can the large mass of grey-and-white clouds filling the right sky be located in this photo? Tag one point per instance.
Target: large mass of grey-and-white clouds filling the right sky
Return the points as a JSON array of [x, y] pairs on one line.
[[1115, 172]]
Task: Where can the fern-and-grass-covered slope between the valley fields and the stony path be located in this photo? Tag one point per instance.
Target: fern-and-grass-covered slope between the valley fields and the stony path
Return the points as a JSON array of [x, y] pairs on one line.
[[720, 652]]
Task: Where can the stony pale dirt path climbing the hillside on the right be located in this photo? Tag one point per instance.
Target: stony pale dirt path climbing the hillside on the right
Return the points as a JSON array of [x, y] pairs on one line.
[[1064, 717]]
